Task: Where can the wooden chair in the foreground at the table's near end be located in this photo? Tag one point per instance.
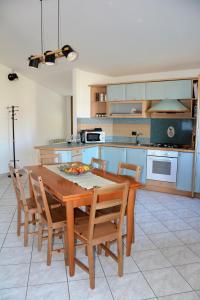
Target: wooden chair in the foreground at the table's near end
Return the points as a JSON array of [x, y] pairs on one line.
[[98, 229]]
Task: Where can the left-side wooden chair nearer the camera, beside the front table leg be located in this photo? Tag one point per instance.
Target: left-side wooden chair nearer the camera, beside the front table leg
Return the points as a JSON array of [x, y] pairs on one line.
[[53, 219]]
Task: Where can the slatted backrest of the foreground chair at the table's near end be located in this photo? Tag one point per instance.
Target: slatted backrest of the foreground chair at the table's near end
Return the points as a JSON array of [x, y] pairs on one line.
[[112, 196]]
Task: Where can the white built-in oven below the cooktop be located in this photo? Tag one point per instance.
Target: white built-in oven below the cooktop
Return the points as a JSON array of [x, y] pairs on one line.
[[162, 165]]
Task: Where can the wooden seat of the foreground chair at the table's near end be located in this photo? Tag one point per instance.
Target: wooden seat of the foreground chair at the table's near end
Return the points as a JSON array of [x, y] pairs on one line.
[[101, 230]]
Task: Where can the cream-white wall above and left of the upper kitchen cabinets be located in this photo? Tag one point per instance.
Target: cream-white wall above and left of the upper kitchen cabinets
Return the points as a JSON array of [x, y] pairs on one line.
[[82, 80]]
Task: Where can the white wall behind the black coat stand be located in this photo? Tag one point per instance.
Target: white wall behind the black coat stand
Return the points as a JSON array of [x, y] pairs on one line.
[[41, 116]]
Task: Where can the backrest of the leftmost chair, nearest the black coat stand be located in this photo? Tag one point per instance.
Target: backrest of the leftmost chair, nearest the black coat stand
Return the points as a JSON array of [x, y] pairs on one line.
[[18, 187]]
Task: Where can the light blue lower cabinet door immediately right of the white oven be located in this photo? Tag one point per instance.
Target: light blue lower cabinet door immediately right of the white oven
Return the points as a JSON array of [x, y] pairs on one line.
[[184, 172]]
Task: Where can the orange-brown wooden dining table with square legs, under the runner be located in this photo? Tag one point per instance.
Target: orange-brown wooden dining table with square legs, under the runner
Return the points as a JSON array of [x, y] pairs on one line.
[[72, 195]]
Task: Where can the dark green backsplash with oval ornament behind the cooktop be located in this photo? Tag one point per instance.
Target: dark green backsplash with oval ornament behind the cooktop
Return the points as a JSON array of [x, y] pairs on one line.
[[183, 131]]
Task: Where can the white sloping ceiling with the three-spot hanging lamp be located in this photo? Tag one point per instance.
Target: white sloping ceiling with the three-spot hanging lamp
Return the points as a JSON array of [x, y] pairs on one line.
[[113, 37]]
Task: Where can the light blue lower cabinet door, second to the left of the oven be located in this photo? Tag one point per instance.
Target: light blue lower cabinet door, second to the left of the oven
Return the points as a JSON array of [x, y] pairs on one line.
[[113, 156]]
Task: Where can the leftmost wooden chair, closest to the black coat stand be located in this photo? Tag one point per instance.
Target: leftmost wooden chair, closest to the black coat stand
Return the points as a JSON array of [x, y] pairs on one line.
[[28, 205]]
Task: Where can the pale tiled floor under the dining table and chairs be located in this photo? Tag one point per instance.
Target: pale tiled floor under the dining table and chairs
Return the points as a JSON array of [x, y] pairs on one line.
[[164, 263]]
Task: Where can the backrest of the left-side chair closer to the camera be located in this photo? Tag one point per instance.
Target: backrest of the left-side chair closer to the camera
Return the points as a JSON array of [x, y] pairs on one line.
[[40, 197]]
